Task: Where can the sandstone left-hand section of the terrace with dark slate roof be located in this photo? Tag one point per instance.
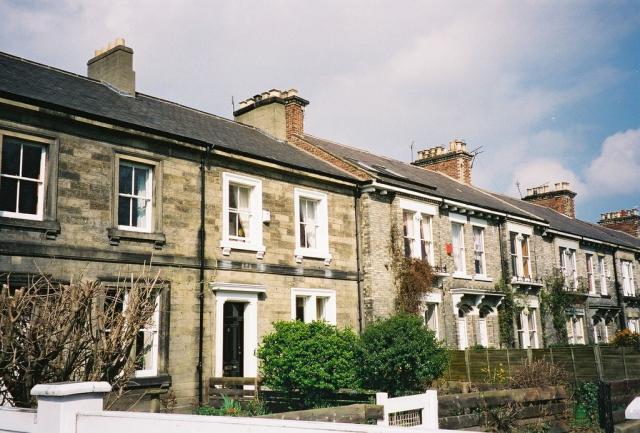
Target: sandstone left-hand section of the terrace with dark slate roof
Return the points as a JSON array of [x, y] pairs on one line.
[[97, 179]]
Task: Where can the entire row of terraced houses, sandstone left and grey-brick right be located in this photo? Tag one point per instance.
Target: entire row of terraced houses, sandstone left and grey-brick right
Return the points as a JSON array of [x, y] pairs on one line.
[[254, 220]]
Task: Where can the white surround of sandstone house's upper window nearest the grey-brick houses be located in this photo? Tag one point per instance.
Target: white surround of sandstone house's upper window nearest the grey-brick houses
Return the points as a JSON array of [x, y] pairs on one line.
[[322, 235]]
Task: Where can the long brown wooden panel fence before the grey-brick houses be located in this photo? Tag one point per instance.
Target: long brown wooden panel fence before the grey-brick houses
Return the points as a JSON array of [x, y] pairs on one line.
[[582, 363]]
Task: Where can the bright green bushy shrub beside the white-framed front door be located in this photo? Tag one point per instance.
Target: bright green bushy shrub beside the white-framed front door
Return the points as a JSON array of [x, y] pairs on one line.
[[312, 358]]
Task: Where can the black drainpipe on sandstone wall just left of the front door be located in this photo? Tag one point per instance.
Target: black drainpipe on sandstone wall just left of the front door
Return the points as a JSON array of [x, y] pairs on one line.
[[201, 258]]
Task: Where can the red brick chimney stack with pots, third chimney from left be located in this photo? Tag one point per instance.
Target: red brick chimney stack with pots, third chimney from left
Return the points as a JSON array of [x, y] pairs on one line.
[[454, 162]]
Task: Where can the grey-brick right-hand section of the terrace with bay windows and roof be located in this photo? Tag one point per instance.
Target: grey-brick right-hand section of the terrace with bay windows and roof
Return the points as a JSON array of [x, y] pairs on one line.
[[473, 239]]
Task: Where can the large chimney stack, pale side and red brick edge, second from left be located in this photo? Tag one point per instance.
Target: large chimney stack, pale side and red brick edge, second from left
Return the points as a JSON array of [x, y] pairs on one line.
[[277, 112]]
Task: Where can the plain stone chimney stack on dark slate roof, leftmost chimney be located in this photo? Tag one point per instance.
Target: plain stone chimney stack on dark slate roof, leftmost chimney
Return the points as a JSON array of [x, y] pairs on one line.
[[113, 65]]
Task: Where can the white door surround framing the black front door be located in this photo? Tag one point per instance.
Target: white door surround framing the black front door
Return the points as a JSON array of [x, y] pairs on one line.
[[248, 294]]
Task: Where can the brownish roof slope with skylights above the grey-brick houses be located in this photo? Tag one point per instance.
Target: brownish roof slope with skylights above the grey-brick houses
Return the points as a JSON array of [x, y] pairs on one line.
[[403, 175]]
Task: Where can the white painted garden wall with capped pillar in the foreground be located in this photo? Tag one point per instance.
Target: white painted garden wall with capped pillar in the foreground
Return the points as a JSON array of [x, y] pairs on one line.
[[77, 408]]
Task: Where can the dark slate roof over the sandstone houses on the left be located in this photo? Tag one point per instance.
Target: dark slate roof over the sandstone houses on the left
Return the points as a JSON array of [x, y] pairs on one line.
[[42, 85]]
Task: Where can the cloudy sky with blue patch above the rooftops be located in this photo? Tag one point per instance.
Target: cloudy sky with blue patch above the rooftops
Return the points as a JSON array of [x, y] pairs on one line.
[[549, 89]]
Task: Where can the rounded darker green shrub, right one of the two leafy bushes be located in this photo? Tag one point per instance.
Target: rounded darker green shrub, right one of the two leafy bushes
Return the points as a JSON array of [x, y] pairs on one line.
[[400, 355]]
